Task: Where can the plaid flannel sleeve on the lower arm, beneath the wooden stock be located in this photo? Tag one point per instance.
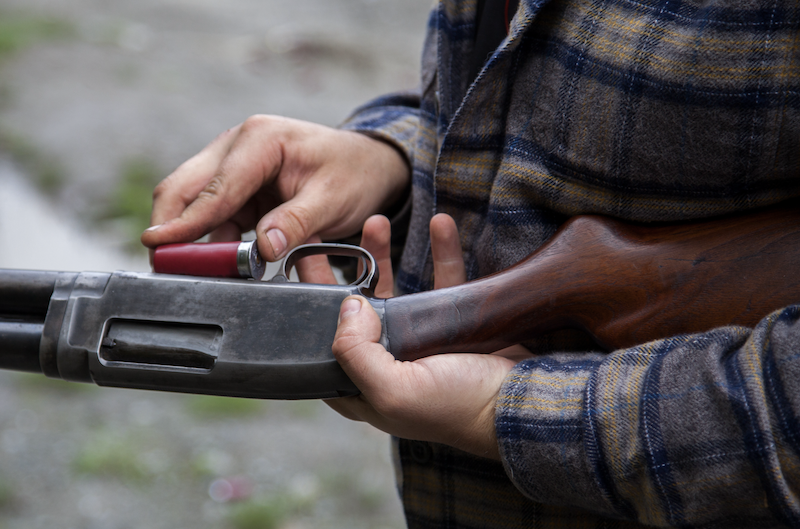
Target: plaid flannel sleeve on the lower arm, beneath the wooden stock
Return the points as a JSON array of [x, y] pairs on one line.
[[691, 430]]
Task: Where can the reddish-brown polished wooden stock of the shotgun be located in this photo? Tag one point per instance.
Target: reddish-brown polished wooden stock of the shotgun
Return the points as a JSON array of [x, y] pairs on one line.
[[624, 284]]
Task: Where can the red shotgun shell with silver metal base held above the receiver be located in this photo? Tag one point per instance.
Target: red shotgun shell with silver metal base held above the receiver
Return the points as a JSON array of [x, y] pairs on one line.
[[213, 259]]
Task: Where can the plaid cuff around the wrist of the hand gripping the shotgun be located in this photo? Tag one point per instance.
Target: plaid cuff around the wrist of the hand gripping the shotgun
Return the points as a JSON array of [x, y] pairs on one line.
[[540, 425]]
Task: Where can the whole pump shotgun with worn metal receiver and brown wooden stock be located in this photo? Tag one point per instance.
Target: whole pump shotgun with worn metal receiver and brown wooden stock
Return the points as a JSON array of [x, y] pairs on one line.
[[625, 284]]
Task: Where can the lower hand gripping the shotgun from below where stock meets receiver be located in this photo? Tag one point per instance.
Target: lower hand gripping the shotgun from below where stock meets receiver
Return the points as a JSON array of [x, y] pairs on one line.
[[447, 398]]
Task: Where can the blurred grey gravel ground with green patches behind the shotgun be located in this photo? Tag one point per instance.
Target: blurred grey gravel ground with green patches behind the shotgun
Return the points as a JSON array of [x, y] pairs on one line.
[[99, 100]]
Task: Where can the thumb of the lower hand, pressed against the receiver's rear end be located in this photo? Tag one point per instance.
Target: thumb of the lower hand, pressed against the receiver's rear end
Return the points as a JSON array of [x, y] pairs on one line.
[[355, 345]]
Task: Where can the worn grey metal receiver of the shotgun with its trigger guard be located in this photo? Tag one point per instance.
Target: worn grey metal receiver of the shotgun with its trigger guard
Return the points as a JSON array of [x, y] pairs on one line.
[[232, 337]]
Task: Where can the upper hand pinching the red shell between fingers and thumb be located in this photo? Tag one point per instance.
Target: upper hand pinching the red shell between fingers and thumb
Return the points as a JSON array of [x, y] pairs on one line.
[[287, 179]]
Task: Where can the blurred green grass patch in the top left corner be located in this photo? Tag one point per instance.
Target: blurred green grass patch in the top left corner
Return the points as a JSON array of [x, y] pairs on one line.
[[20, 30]]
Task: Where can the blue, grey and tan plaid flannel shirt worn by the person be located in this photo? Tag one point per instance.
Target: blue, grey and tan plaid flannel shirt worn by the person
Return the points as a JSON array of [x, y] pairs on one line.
[[647, 110]]
